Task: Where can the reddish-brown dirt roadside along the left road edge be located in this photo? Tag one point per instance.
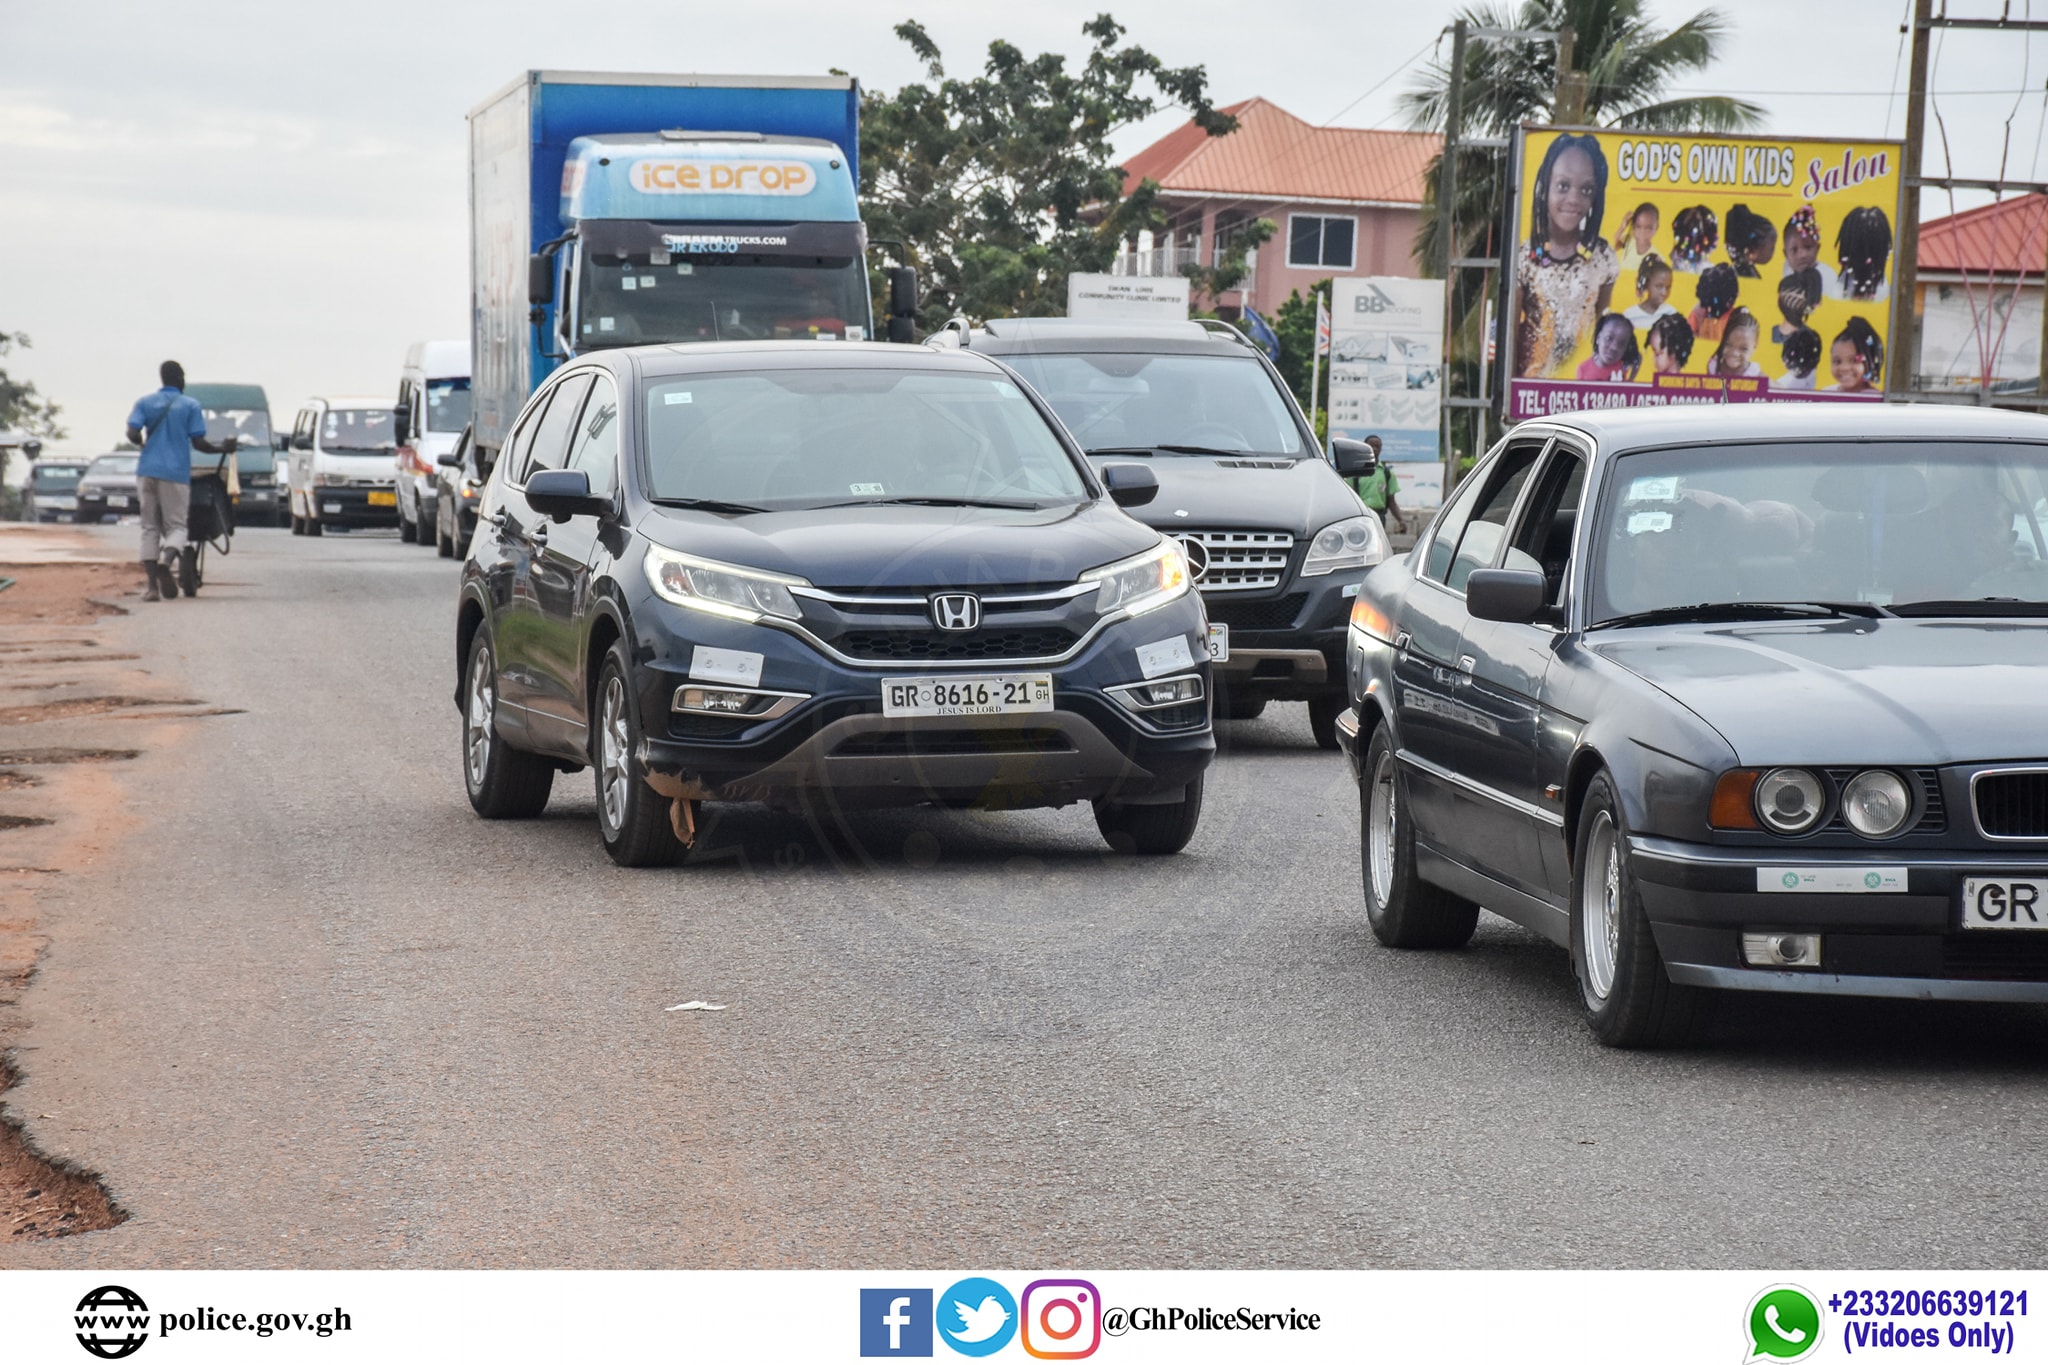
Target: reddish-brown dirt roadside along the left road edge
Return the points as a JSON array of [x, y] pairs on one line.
[[75, 707]]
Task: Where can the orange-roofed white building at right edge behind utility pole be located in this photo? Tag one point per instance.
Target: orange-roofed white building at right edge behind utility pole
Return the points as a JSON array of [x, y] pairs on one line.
[[1981, 298]]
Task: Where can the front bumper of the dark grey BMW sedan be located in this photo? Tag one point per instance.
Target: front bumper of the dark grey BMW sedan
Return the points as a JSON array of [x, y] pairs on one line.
[[1904, 944]]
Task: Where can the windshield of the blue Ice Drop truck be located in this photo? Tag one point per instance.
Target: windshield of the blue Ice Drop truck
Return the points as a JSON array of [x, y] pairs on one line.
[[734, 300]]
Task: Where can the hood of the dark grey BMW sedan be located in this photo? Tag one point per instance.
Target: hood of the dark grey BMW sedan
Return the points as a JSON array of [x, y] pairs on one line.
[[1854, 691]]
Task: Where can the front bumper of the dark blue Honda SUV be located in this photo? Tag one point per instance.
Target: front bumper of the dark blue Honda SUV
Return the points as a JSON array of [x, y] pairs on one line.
[[837, 740]]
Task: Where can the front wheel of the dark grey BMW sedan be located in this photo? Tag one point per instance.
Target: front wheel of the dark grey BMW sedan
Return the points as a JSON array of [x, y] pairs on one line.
[[1629, 998]]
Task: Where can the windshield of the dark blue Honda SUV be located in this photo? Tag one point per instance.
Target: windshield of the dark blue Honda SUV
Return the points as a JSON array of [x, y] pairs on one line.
[[812, 439]]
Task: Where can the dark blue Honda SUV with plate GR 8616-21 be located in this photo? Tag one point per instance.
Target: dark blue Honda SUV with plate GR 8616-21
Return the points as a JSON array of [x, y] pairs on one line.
[[785, 570]]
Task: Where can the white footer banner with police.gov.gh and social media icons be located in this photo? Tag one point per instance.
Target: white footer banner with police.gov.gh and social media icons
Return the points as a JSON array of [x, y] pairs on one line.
[[1492, 1317]]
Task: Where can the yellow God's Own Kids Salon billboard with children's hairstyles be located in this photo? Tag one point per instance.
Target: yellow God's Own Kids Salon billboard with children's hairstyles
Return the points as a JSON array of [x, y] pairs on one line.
[[1699, 269]]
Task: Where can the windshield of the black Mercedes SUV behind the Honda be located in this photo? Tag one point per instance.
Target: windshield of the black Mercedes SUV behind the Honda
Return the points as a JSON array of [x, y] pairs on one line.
[[1146, 402]]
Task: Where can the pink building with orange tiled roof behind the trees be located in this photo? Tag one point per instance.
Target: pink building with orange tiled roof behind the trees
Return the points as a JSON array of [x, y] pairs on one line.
[[1347, 202]]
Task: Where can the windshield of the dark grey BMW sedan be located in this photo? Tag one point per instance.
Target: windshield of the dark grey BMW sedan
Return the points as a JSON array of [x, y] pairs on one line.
[[1883, 523]]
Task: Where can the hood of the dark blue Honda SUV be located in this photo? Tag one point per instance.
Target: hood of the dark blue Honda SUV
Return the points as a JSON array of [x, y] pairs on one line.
[[910, 547]]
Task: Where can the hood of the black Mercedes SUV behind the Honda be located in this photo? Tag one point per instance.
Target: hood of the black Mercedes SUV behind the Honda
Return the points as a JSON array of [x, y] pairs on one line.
[[1242, 492]]
